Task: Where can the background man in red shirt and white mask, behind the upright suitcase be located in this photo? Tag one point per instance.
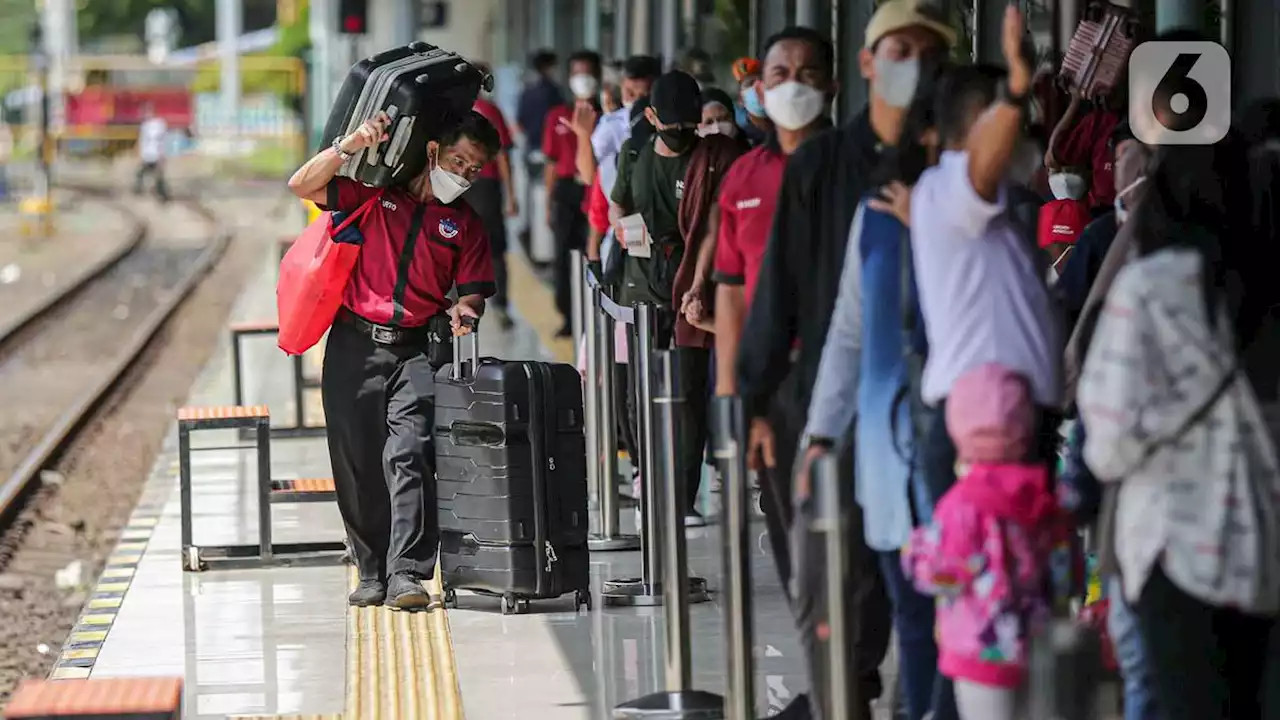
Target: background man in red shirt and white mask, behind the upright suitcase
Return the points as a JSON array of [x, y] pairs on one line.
[[566, 188]]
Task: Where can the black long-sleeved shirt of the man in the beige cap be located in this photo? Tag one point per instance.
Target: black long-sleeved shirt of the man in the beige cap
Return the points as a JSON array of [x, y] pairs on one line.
[[799, 279]]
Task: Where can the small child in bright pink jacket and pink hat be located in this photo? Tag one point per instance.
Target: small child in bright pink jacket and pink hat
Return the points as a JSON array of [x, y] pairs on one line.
[[988, 554]]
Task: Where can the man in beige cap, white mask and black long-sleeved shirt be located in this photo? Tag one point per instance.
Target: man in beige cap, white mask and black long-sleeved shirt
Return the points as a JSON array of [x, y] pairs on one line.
[[796, 298]]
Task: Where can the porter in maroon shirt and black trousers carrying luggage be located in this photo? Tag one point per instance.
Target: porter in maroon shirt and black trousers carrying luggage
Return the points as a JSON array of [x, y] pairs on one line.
[[390, 339]]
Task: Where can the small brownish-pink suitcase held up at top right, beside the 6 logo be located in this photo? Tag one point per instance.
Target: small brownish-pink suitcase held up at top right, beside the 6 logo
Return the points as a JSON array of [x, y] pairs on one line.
[[1100, 49]]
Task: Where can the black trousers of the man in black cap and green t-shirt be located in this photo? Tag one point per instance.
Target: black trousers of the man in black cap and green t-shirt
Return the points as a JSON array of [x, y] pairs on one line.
[[692, 423]]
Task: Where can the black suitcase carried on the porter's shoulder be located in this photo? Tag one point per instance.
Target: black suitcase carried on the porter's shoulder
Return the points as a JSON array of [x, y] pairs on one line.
[[424, 89]]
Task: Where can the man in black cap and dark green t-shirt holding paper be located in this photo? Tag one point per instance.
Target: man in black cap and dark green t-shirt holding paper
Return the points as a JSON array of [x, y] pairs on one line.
[[673, 184]]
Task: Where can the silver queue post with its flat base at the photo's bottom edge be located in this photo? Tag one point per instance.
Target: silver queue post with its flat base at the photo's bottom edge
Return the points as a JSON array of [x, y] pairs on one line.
[[679, 701]]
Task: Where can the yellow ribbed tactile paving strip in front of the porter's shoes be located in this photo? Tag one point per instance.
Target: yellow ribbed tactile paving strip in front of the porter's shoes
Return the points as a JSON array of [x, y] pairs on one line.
[[401, 664]]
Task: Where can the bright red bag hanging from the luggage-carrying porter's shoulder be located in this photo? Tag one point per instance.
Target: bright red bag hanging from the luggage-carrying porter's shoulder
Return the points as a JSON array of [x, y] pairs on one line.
[[314, 275]]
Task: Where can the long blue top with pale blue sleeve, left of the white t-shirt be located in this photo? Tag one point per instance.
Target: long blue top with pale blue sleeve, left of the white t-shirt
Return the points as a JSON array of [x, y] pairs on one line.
[[862, 372]]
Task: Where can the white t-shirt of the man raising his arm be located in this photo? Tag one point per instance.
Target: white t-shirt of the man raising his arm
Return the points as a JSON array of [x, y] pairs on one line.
[[981, 293]]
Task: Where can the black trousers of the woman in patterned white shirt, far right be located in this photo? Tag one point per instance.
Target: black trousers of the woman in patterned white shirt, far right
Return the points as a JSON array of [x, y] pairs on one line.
[[1208, 662]]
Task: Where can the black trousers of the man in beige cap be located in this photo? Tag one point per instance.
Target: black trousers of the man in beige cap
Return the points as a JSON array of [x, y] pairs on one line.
[[801, 557]]
